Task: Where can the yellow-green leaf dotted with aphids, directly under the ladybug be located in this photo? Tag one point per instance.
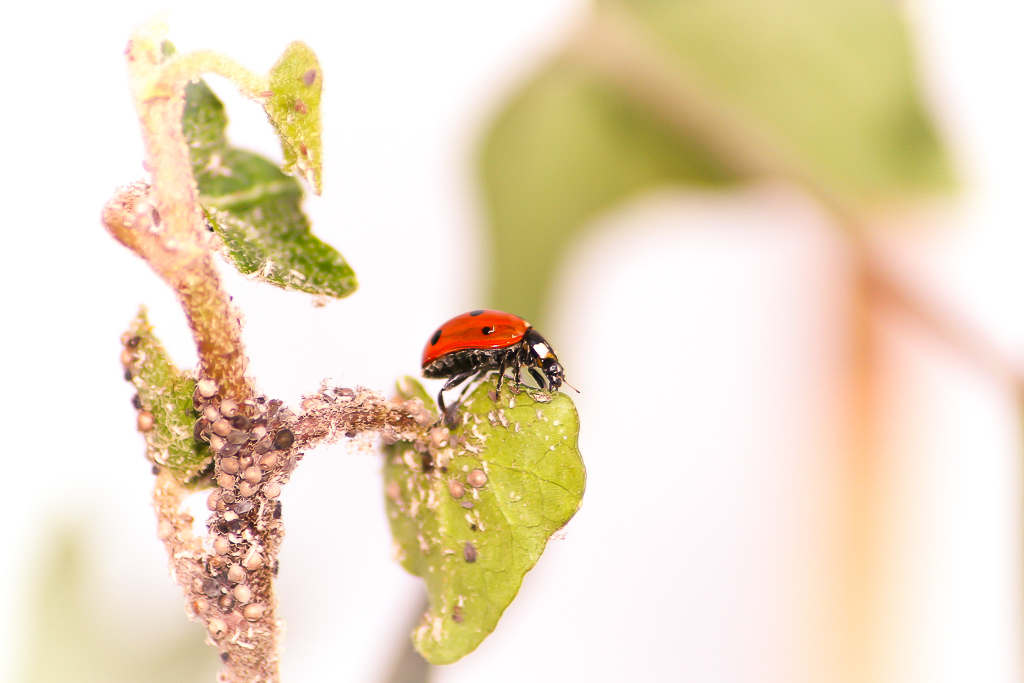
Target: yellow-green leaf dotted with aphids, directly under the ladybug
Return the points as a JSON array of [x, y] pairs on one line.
[[473, 545]]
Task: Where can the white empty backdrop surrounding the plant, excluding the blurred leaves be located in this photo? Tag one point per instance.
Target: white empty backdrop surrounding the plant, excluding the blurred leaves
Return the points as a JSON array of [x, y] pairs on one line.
[[709, 347]]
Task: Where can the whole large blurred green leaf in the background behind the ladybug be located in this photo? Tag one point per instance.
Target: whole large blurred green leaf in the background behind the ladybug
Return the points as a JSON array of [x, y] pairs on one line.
[[698, 93]]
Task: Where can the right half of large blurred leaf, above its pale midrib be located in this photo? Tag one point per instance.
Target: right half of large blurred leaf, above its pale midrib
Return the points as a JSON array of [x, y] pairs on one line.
[[831, 84]]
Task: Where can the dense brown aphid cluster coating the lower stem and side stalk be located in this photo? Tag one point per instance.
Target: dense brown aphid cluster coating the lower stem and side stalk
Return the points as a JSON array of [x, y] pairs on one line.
[[254, 444]]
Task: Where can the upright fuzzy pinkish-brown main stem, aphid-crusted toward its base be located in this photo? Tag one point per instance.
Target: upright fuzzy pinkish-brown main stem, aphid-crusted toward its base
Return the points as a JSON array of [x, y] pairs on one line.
[[230, 590]]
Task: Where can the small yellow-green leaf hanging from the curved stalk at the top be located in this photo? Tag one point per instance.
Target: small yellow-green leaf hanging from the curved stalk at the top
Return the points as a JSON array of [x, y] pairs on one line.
[[294, 111]]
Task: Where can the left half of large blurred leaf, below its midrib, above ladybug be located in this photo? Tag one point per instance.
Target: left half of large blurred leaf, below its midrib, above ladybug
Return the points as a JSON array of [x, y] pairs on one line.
[[566, 149]]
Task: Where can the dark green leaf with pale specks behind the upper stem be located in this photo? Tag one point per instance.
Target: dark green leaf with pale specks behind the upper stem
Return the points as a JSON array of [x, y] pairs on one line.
[[255, 208]]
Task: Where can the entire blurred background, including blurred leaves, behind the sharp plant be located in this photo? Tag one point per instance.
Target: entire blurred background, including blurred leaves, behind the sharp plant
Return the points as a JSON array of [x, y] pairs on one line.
[[797, 347]]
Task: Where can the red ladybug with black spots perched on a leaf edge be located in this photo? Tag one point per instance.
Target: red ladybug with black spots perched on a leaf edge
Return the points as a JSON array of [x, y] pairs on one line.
[[482, 341]]
